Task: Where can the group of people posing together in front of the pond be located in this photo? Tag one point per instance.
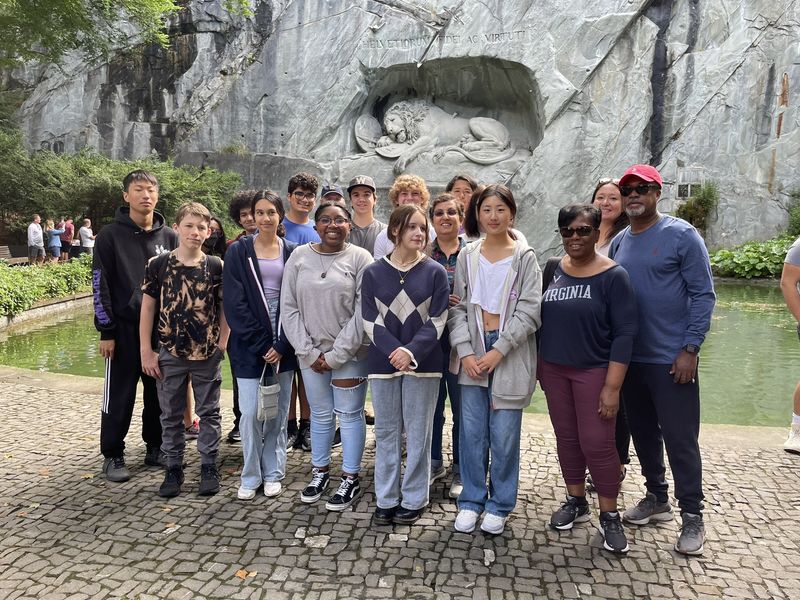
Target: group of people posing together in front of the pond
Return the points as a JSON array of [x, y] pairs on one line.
[[446, 300]]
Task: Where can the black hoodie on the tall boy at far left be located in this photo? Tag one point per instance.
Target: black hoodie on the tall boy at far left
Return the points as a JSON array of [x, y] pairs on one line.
[[121, 252]]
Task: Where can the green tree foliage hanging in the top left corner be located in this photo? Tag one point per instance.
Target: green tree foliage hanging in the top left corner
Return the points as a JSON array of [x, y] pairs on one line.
[[44, 30]]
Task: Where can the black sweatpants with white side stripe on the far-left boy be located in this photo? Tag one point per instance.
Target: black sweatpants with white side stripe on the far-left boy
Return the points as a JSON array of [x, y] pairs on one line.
[[119, 394]]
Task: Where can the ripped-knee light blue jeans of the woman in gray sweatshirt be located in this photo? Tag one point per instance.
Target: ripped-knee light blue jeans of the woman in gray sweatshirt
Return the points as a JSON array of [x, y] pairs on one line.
[[328, 401]]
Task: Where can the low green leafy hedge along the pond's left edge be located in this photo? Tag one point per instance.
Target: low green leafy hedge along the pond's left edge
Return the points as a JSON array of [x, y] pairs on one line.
[[22, 287]]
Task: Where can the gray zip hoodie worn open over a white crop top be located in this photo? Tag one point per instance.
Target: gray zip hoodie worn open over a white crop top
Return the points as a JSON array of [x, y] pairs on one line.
[[515, 375]]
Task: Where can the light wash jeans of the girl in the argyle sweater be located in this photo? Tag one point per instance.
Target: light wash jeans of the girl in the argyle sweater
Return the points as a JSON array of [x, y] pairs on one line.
[[403, 403]]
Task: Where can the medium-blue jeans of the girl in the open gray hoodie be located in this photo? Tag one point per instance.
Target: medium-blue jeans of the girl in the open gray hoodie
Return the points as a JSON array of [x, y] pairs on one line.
[[488, 430]]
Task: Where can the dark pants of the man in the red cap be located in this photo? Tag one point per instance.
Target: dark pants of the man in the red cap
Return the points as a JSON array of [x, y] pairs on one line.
[[662, 413]]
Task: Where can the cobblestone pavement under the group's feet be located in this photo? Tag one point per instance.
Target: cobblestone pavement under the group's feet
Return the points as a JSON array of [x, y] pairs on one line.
[[67, 533]]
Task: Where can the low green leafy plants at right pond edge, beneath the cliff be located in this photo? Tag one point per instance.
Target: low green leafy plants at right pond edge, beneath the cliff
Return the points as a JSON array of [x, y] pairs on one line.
[[753, 259]]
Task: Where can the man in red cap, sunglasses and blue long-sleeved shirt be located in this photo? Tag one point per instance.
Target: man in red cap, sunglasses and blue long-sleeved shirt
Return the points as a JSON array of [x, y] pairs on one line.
[[669, 269]]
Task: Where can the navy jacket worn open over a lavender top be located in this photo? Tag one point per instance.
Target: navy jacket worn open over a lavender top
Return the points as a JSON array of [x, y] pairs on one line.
[[251, 330]]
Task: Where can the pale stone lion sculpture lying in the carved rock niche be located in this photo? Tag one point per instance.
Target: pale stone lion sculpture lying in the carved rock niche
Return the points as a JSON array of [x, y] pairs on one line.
[[415, 126]]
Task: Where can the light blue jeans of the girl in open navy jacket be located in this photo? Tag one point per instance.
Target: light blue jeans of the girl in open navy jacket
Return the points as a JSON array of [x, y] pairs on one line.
[[263, 442]]
